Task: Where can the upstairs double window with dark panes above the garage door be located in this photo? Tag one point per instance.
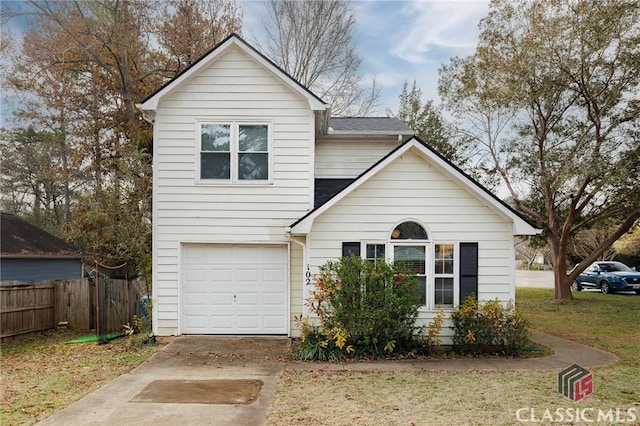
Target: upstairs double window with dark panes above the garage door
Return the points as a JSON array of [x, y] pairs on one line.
[[235, 152]]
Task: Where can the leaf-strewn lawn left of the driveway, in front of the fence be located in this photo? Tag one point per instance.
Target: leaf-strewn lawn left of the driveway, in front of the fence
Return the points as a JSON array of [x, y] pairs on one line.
[[42, 372]]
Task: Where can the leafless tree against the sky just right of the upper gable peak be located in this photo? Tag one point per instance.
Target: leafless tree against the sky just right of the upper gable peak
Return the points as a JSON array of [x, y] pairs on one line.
[[313, 42]]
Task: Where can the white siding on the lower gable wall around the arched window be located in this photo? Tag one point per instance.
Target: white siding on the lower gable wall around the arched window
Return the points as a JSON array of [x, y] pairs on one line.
[[410, 188]]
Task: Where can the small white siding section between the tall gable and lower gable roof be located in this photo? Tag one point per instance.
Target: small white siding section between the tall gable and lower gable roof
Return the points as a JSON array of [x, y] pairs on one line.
[[349, 158]]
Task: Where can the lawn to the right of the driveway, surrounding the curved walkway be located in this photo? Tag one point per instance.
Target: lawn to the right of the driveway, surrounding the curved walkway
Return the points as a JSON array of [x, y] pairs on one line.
[[610, 322]]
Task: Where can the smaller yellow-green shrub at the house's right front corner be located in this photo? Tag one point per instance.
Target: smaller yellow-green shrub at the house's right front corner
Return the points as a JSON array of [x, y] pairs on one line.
[[489, 328]]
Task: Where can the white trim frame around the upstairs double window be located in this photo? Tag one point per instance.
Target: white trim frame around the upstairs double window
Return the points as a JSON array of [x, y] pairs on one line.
[[234, 150]]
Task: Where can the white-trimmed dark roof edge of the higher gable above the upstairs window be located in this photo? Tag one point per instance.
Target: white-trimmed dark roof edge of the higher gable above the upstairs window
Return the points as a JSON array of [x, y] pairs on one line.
[[151, 102]]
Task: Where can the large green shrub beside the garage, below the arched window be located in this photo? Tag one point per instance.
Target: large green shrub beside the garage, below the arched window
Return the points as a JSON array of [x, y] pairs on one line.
[[363, 309]]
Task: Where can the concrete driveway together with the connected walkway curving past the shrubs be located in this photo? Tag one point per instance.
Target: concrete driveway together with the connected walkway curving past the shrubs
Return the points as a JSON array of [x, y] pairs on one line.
[[198, 358]]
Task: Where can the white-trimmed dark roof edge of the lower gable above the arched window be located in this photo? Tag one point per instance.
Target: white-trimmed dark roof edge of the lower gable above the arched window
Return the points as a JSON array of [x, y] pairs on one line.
[[521, 226]]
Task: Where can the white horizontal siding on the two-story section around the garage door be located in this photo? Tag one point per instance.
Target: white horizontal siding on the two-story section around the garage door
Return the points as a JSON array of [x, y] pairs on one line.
[[233, 88]]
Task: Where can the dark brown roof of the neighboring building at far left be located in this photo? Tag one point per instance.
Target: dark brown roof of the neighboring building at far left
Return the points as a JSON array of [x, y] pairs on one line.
[[20, 239]]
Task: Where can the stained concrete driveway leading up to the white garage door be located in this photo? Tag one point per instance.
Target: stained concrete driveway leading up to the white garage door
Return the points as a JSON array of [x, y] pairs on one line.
[[181, 367]]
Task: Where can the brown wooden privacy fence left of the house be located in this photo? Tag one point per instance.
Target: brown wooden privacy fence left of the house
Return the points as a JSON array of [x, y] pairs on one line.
[[105, 305]]
